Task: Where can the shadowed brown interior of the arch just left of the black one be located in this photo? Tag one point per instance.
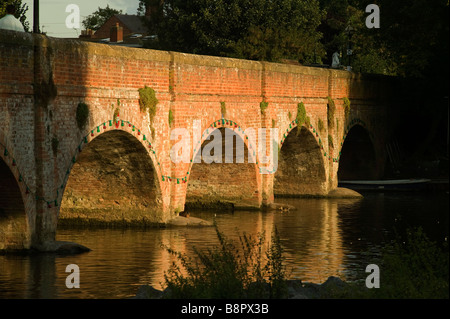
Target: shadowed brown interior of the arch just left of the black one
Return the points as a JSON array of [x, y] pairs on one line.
[[301, 169]]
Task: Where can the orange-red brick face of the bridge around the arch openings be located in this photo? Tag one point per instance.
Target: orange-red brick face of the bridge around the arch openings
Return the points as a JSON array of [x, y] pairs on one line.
[[42, 81]]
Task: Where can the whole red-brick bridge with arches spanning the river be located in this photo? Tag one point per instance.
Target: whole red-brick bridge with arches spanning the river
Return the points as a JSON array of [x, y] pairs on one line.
[[115, 165]]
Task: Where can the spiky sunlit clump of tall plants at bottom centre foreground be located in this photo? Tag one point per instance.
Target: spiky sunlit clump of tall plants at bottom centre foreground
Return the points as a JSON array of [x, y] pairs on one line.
[[231, 270]]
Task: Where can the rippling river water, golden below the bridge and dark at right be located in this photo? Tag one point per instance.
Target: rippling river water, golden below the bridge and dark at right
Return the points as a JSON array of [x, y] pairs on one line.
[[321, 238]]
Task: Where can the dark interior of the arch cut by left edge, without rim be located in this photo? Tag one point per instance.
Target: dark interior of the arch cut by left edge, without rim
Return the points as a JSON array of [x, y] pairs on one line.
[[13, 224]]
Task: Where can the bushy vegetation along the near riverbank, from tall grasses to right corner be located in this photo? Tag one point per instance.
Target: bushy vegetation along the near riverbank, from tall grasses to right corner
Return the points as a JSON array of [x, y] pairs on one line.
[[411, 267]]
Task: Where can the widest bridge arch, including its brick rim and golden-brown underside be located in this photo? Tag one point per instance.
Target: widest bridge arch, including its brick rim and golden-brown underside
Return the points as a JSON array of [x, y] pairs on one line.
[[113, 180]]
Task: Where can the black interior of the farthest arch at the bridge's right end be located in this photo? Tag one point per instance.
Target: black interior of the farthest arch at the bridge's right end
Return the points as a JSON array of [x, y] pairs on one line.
[[357, 161]]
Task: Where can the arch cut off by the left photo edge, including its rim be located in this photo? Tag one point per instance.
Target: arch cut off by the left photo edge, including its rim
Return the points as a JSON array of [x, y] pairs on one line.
[[15, 232]]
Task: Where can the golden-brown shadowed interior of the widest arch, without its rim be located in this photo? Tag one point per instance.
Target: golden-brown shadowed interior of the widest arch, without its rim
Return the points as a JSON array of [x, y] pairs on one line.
[[113, 172]]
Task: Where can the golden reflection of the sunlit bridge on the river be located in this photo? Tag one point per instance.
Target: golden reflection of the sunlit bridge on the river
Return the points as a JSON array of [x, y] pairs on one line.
[[121, 260]]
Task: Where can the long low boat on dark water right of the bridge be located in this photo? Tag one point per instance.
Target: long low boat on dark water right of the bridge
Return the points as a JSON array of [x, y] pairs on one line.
[[389, 184]]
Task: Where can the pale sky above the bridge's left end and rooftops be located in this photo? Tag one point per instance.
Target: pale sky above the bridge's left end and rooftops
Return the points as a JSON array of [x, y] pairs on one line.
[[53, 13]]
